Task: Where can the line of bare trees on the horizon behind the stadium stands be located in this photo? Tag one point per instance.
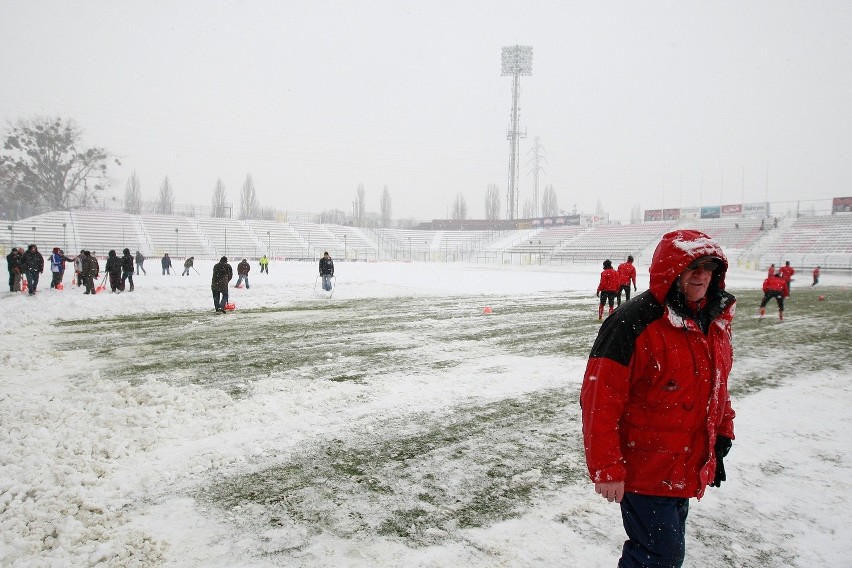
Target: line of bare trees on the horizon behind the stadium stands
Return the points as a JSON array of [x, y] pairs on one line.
[[45, 166]]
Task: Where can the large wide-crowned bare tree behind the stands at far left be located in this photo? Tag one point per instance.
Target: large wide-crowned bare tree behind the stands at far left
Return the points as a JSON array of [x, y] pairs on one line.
[[48, 164]]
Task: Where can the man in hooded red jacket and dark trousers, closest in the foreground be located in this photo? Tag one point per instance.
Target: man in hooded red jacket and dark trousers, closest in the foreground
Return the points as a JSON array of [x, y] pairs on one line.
[[657, 419]]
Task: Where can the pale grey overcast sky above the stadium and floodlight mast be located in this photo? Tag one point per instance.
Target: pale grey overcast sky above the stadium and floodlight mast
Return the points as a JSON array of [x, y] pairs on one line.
[[632, 102]]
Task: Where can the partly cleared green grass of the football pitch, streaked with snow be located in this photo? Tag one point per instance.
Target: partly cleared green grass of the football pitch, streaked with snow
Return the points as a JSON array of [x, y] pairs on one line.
[[416, 474]]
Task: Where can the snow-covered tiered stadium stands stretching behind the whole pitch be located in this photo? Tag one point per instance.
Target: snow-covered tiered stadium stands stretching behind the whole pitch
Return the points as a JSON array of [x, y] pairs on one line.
[[806, 241]]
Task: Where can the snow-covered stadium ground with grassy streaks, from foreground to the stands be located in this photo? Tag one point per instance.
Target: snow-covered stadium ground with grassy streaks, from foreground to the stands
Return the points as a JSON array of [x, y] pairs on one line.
[[392, 424]]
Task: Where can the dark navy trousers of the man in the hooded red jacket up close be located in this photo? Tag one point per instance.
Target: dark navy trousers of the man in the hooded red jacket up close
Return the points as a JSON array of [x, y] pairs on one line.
[[656, 531]]
